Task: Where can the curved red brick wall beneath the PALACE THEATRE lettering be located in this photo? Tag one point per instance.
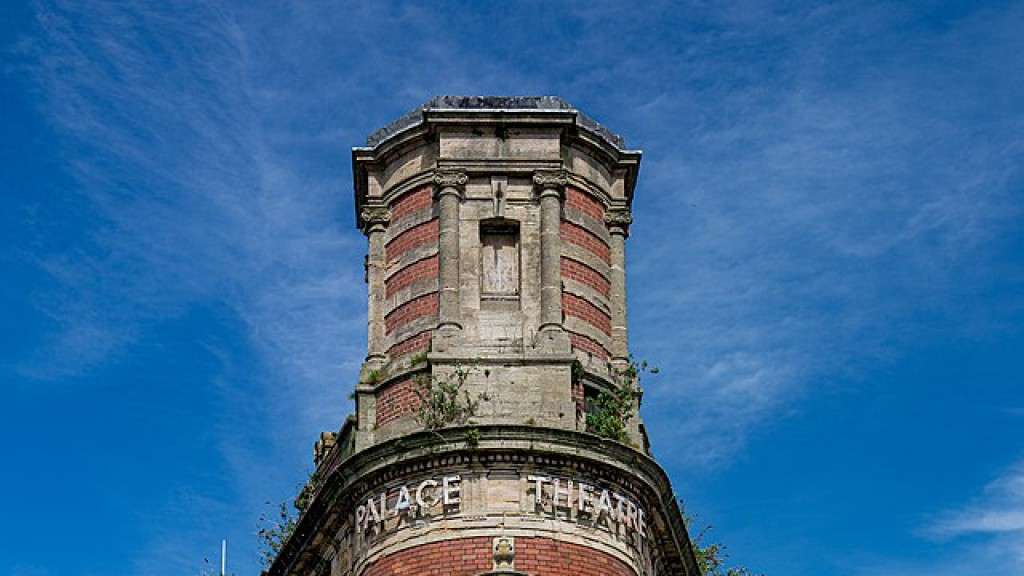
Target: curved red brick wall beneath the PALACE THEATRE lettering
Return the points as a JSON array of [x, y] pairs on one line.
[[468, 557]]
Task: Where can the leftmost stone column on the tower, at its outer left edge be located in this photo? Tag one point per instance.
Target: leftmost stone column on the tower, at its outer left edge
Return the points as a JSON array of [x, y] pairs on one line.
[[376, 220]]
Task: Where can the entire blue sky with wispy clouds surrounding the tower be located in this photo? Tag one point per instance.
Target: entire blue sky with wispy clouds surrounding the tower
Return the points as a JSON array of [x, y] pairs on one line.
[[828, 263]]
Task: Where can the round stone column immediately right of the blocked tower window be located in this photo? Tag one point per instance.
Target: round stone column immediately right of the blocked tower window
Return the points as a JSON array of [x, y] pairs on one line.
[[552, 337]]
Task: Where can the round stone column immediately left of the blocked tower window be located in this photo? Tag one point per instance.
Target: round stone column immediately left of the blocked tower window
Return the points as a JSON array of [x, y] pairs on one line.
[[450, 187]]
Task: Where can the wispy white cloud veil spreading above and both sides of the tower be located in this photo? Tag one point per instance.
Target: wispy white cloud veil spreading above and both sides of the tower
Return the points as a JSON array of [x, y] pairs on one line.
[[808, 189]]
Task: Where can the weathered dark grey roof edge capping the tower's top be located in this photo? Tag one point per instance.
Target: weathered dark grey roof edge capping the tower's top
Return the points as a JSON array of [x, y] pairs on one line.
[[495, 105]]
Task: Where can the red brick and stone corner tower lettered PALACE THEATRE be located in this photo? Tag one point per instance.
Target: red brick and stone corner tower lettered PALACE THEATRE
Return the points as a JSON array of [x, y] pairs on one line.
[[497, 319]]
